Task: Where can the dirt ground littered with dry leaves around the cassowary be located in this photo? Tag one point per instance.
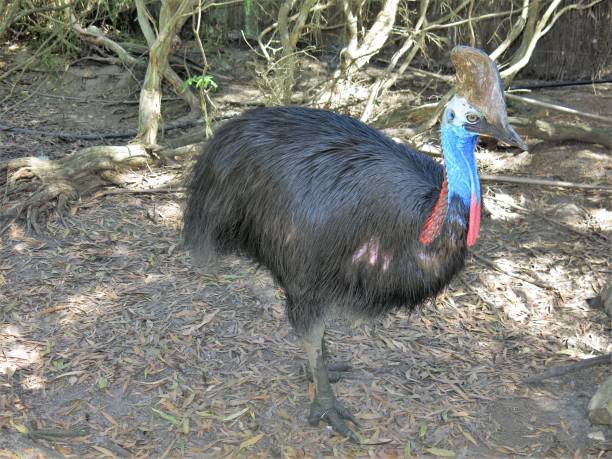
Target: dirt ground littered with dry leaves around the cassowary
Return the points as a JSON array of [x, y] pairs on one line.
[[112, 343]]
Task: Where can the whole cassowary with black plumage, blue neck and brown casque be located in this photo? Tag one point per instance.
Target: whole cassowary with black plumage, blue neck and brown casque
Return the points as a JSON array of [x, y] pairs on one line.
[[348, 221]]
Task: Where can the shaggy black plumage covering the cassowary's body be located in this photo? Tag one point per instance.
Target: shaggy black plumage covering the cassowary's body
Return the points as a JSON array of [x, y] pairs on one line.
[[331, 206]]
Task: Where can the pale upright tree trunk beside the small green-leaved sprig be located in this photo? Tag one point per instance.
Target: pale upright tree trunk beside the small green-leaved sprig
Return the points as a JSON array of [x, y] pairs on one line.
[[172, 16]]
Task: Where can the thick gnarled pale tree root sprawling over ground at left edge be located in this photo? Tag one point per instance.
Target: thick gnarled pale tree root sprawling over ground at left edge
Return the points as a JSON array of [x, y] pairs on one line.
[[36, 187]]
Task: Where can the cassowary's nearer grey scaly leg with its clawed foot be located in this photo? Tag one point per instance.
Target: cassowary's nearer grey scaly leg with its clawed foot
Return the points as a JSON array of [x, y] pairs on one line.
[[325, 405]]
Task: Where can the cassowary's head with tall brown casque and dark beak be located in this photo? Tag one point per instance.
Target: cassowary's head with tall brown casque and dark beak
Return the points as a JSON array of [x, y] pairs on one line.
[[479, 106]]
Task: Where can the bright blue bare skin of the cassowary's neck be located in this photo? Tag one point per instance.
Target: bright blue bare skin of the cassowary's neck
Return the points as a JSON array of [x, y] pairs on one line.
[[458, 146]]
